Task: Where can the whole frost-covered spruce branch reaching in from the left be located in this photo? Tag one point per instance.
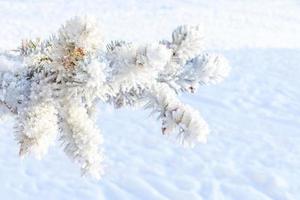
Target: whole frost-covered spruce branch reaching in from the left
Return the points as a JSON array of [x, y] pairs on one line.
[[52, 87]]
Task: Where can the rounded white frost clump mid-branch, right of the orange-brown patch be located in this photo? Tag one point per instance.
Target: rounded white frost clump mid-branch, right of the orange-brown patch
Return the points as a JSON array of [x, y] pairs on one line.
[[138, 65]]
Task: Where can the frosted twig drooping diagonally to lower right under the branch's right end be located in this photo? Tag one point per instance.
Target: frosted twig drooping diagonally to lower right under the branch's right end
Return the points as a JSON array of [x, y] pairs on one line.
[[179, 117]]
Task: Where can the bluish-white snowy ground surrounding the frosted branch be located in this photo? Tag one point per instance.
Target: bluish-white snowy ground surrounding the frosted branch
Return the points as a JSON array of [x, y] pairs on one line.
[[253, 151]]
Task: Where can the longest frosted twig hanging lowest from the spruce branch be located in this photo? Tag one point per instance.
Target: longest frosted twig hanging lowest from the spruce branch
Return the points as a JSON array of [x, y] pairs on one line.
[[81, 140]]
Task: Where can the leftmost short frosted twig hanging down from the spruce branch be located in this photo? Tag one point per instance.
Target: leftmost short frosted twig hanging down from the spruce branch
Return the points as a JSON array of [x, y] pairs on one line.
[[37, 129]]
